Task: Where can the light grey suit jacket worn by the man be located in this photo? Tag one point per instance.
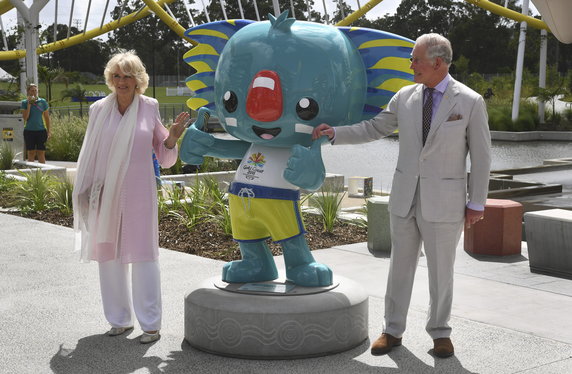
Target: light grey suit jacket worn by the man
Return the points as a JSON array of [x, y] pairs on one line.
[[459, 127]]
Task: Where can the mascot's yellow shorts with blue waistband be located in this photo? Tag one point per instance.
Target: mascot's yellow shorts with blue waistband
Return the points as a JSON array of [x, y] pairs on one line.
[[258, 213]]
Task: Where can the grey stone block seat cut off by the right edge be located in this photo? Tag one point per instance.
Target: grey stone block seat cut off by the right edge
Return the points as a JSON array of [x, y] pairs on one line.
[[549, 240]]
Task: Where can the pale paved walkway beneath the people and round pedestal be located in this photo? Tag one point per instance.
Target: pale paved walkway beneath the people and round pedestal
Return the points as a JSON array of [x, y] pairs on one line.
[[505, 319]]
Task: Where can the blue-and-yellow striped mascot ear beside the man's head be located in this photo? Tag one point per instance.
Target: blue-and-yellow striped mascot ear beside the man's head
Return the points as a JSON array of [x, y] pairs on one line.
[[386, 60]]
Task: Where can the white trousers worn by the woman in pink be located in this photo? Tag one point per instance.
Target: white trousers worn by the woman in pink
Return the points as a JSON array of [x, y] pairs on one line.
[[145, 298]]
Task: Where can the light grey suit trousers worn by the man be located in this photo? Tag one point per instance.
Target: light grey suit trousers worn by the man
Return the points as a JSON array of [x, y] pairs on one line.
[[440, 242]]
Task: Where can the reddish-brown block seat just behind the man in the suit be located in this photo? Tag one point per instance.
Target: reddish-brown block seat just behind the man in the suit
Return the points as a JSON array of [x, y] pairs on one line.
[[499, 233]]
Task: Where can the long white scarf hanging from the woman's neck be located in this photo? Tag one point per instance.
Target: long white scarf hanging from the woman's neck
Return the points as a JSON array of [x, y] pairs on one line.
[[95, 210]]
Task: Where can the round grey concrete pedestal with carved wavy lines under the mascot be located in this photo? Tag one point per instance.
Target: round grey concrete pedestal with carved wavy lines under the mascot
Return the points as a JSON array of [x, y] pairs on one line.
[[276, 320]]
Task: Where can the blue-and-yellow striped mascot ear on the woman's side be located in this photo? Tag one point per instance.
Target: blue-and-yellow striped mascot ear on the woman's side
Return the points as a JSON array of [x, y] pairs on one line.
[[212, 38]]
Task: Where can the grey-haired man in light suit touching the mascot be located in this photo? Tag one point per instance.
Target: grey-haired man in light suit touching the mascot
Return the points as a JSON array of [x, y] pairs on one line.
[[440, 121]]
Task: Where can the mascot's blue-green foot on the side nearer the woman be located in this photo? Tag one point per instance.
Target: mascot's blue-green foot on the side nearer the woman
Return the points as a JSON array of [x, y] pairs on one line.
[[244, 271]]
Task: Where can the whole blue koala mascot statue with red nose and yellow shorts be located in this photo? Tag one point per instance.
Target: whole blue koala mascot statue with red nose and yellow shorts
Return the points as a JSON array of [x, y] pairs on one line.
[[269, 84]]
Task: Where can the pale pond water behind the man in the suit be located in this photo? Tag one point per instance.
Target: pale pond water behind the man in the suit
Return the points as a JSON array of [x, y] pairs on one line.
[[378, 159]]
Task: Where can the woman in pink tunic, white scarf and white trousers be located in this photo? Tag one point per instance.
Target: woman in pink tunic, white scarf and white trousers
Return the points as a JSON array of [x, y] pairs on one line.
[[115, 195]]
